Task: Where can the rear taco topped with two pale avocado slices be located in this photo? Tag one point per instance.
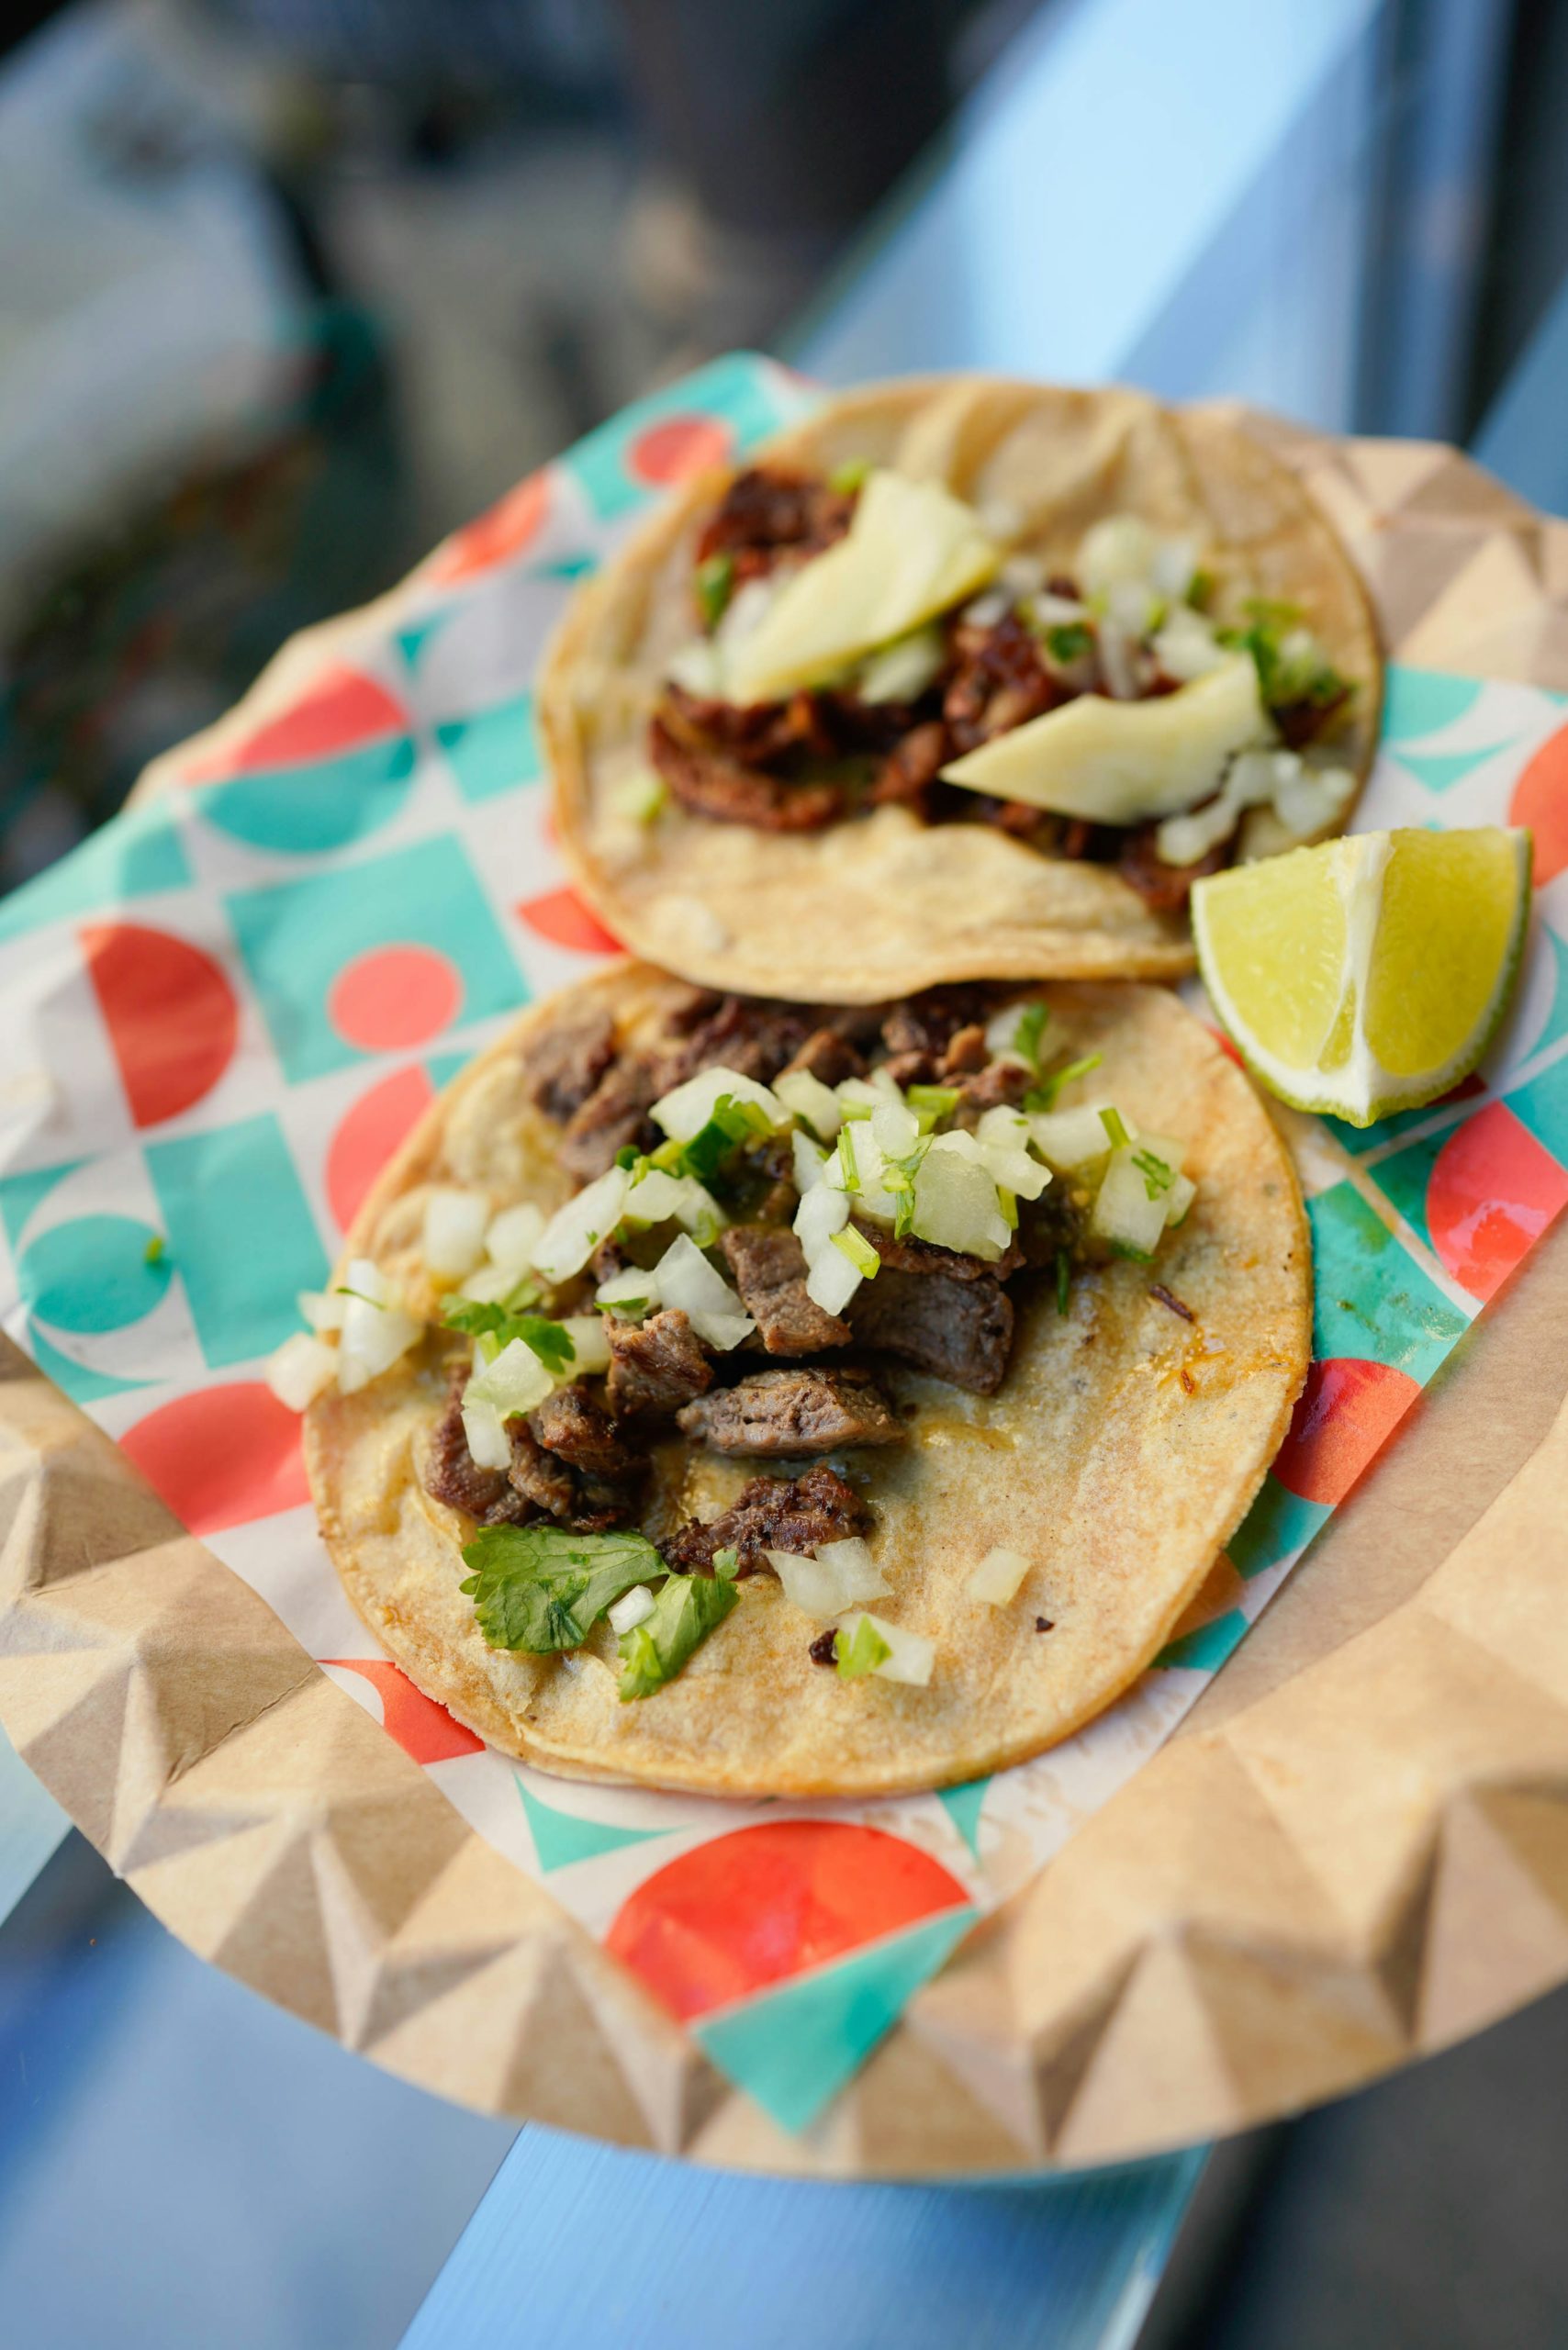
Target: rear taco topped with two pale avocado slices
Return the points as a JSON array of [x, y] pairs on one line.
[[958, 680]]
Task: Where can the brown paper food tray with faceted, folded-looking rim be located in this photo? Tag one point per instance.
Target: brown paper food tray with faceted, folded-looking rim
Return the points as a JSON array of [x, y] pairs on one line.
[[1355, 1848]]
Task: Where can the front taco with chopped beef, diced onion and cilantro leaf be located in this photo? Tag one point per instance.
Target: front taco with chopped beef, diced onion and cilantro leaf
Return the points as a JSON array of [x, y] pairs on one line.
[[760, 1397]]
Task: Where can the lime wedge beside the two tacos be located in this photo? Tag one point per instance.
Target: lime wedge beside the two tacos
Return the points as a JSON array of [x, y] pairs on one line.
[[1369, 974]]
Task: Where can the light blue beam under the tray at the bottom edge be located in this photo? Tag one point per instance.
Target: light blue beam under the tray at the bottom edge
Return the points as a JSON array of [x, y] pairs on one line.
[[690, 2260]]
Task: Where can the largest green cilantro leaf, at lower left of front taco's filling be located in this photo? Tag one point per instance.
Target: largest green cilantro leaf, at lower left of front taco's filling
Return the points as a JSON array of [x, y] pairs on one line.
[[542, 1587]]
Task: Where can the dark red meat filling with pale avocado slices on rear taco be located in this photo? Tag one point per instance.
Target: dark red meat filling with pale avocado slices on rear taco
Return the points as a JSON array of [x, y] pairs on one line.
[[866, 640]]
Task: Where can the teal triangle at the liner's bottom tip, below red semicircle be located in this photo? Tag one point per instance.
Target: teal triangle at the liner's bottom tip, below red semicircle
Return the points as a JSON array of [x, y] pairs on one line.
[[798, 2046]]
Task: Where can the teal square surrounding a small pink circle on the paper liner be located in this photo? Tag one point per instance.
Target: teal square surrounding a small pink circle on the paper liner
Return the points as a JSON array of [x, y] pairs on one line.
[[297, 936]]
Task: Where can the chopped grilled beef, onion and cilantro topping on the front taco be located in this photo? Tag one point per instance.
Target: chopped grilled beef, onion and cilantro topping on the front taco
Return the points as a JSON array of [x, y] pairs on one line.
[[789, 1230]]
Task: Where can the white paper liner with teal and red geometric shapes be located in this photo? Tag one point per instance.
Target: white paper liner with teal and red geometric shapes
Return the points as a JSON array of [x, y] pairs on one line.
[[236, 1000]]
